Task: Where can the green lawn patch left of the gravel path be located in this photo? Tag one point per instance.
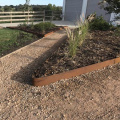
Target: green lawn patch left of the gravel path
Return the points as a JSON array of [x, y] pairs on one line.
[[13, 39]]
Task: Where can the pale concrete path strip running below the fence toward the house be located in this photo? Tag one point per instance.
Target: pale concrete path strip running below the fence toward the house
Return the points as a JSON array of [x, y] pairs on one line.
[[57, 23]]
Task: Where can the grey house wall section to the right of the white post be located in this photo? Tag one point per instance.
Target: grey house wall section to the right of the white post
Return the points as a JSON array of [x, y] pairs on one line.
[[93, 7]]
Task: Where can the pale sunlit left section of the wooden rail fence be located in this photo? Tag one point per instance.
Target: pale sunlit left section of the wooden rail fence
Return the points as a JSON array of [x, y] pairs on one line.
[[16, 16]]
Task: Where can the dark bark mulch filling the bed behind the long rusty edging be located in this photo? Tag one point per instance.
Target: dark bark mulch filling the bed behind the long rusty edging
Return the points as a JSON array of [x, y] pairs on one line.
[[98, 47]]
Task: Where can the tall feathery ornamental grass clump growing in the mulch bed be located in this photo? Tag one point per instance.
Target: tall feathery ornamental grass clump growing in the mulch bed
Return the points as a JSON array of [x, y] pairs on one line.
[[77, 36]]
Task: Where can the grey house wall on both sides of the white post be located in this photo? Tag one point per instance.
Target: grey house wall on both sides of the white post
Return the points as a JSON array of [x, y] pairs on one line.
[[73, 9]]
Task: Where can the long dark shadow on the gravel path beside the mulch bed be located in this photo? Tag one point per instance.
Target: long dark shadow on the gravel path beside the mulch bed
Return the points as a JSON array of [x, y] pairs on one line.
[[25, 74]]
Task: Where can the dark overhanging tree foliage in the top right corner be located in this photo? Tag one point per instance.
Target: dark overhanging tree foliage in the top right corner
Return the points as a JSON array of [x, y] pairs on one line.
[[111, 6]]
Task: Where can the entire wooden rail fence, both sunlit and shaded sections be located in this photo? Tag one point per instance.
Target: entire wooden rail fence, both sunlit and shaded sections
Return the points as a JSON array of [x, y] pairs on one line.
[[28, 16]]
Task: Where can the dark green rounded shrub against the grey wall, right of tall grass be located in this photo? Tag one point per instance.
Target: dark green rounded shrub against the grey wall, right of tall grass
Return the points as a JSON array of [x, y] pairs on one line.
[[98, 23]]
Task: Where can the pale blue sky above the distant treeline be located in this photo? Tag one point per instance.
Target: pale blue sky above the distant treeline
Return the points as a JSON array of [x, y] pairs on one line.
[[35, 2]]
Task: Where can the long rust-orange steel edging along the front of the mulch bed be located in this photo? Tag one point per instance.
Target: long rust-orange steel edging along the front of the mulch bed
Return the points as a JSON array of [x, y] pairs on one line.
[[72, 73]]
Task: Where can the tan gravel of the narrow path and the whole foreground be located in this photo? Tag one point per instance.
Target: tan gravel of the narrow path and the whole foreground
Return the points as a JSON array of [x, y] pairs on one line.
[[92, 96]]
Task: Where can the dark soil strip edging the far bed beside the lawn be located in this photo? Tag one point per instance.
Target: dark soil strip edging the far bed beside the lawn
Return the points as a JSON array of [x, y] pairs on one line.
[[39, 34]]
